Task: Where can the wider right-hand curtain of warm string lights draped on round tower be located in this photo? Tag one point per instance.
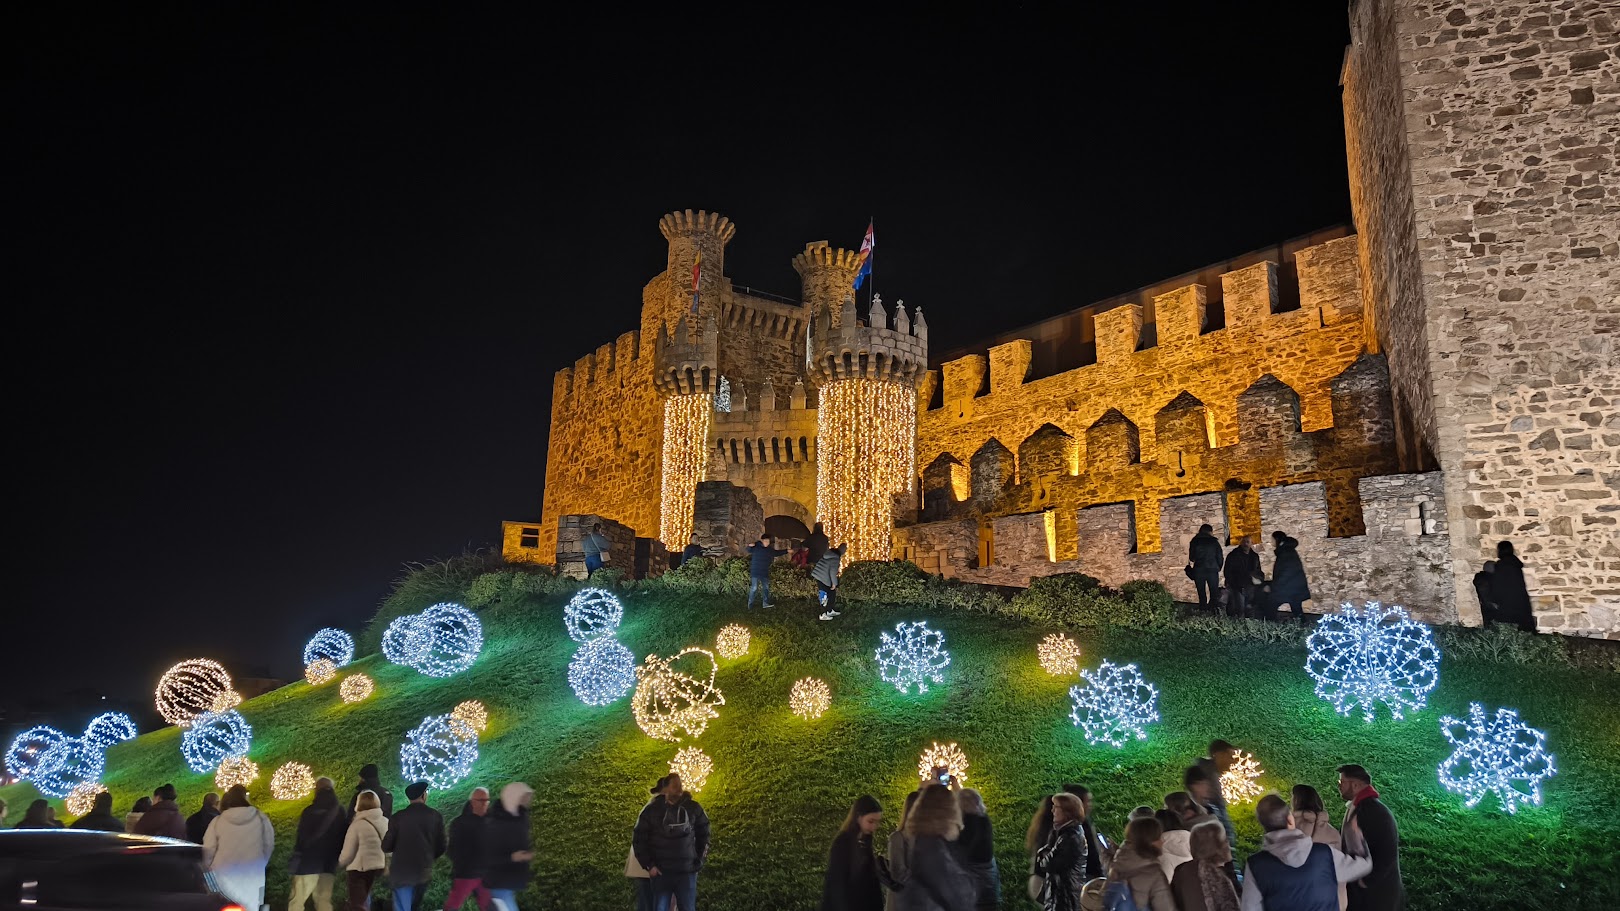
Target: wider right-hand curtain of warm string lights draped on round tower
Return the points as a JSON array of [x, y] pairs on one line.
[[866, 456]]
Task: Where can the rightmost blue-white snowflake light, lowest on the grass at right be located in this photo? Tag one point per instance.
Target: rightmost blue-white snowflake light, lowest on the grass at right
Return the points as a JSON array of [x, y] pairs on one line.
[[1499, 756]]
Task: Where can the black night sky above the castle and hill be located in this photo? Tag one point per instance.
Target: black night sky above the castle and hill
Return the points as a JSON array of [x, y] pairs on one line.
[[289, 288]]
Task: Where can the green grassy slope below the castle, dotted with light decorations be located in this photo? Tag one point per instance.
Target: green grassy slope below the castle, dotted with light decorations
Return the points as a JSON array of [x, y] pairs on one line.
[[782, 785]]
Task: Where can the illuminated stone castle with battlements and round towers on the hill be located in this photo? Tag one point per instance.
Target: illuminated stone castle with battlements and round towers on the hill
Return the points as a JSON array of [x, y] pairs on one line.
[[1397, 400]]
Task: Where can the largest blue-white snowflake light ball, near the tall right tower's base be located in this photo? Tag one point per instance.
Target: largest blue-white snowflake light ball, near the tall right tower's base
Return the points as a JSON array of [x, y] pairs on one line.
[[1358, 661]]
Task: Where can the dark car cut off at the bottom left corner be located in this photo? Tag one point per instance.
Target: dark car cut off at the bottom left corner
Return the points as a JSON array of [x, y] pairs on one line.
[[49, 870]]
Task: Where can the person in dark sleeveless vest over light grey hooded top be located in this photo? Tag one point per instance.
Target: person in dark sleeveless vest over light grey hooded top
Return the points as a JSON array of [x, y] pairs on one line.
[[1290, 873]]
